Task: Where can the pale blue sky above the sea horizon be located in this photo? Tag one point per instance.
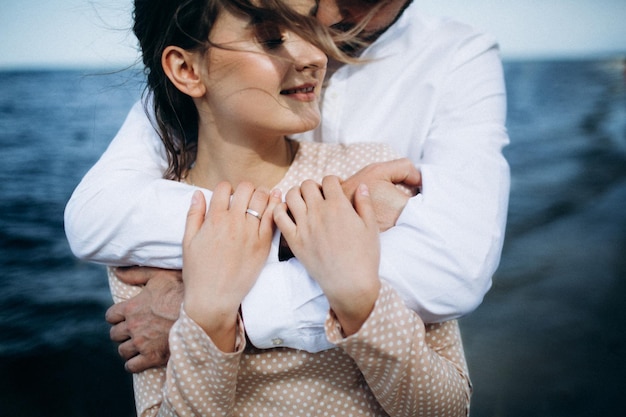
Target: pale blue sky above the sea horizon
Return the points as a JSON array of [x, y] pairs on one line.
[[96, 33]]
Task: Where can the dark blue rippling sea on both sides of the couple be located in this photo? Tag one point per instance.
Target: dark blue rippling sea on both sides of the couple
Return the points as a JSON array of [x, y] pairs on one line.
[[549, 340]]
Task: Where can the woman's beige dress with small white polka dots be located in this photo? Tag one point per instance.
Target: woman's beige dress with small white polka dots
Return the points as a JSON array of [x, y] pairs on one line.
[[394, 366]]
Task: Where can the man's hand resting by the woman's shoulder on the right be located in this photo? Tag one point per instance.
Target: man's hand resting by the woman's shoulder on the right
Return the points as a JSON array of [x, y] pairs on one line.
[[390, 184]]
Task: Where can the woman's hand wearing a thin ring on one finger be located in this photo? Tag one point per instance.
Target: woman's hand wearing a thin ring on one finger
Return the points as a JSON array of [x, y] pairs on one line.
[[224, 251]]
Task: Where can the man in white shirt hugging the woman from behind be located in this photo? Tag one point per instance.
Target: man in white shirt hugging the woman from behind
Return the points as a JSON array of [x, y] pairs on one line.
[[433, 89]]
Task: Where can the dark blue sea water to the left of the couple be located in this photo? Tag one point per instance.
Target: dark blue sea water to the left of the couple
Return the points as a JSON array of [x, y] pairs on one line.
[[55, 356]]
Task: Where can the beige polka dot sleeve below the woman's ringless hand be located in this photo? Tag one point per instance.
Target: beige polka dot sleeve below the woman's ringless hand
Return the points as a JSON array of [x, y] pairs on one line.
[[412, 369]]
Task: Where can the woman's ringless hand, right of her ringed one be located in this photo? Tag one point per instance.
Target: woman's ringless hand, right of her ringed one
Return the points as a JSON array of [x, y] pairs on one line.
[[337, 243]]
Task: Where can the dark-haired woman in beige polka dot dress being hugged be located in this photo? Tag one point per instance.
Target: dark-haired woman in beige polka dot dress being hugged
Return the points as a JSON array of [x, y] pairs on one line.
[[230, 80]]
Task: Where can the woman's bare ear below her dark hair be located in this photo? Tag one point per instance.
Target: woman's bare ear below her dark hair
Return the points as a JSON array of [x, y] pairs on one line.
[[183, 69]]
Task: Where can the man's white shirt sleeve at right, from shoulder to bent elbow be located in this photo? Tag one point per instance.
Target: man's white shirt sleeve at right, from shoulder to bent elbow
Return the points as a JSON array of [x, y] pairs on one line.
[[447, 243]]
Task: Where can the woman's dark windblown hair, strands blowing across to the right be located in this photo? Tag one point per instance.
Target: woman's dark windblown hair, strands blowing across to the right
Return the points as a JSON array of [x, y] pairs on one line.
[[187, 24]]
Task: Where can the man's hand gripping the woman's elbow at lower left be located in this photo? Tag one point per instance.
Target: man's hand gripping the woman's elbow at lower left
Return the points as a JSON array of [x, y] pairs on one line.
[[141, 325]]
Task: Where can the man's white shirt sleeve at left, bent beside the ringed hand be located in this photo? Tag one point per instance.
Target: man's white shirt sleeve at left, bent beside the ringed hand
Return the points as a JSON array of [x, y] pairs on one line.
[[123, 212]]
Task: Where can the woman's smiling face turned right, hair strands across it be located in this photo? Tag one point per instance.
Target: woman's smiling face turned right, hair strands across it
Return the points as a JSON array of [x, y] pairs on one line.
[[267, 84]]
